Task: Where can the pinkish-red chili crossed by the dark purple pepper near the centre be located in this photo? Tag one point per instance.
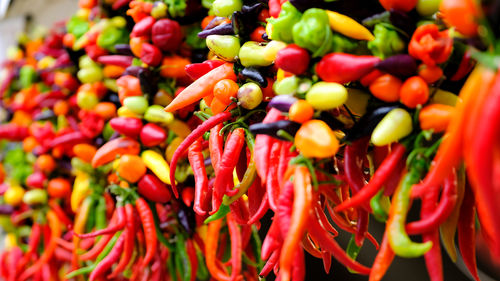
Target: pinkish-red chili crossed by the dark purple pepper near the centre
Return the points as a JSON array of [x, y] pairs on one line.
[[263, 144]]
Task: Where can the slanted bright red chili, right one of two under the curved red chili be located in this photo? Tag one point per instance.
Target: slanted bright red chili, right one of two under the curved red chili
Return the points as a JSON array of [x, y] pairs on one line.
[[224, 179]]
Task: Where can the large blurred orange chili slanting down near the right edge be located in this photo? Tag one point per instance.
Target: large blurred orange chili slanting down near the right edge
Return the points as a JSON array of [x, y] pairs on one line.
[[448, 153]]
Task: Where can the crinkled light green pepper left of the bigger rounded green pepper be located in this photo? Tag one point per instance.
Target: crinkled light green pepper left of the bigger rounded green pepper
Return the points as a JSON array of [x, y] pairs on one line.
[[280, 27]]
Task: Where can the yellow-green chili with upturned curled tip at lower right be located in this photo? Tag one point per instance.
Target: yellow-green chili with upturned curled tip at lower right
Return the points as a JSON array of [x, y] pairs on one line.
[[398, 238]]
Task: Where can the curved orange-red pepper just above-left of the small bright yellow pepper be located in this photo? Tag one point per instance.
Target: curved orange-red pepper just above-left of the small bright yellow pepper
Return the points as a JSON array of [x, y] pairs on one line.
[[111, 149]]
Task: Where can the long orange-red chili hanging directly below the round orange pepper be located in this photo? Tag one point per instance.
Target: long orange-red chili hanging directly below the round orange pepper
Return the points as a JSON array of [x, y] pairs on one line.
[[300, 213]]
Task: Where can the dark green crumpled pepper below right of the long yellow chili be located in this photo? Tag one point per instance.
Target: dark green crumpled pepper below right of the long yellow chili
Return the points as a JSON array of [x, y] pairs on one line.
[[387, 42]]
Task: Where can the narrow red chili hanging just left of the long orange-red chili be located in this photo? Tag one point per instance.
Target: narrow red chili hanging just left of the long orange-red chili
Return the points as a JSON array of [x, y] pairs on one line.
[[272, 182]]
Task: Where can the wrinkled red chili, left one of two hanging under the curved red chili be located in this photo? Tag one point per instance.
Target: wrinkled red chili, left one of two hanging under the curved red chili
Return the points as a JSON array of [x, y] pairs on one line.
[[196, 160]]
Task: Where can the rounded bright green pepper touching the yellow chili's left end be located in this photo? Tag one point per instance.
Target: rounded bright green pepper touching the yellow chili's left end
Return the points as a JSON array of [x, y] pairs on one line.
[[313, 32]]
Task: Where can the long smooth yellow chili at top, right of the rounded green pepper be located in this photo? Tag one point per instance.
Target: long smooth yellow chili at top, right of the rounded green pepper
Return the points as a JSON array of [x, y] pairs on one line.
[[348, 27]]
